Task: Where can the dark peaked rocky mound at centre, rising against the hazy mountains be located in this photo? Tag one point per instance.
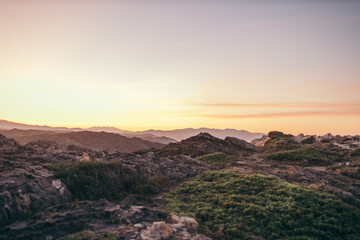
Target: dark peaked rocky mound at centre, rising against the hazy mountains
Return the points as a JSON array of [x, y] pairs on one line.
[[204, 143]]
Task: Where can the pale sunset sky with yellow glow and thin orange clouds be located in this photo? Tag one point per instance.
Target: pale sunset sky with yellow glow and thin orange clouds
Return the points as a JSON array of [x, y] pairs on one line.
[[292, 66]]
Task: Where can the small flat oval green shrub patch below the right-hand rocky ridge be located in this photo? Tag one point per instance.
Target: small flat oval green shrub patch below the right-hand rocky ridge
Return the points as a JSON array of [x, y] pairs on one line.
[[302, 156]]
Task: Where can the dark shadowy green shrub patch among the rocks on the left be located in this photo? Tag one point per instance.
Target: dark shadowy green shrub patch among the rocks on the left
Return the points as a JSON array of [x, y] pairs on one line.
[[95, 180]]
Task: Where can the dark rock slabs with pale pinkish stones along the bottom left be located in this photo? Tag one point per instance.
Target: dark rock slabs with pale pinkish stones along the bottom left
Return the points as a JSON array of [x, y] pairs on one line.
[[135, 217]]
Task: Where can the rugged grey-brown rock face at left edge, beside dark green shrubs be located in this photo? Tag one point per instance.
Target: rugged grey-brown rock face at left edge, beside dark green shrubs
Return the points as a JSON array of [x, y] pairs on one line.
[[25, 185]]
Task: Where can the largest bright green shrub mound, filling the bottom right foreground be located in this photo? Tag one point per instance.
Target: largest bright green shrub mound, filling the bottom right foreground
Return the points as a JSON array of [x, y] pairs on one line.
[[229, 205]]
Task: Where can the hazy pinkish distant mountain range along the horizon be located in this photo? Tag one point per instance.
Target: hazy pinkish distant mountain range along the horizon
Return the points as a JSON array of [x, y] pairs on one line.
[[158, 136]]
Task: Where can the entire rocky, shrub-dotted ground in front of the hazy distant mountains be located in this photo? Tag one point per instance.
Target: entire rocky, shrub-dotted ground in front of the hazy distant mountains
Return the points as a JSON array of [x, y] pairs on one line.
[[202, 187]]
